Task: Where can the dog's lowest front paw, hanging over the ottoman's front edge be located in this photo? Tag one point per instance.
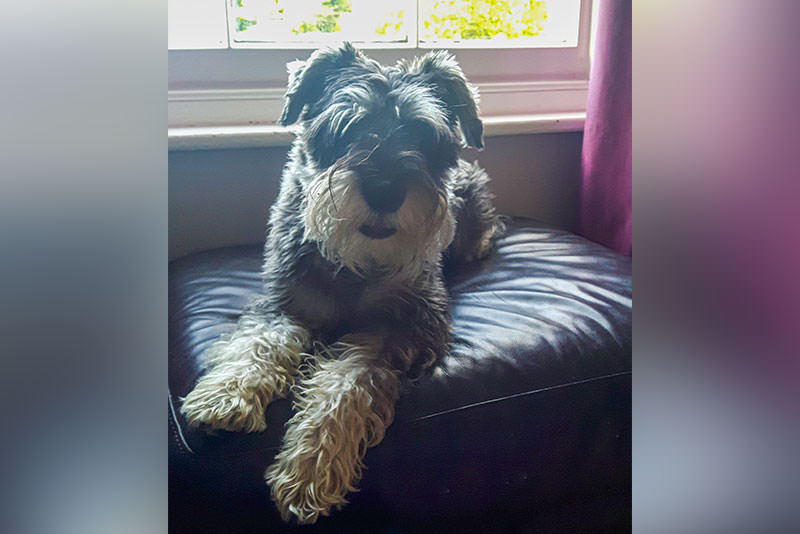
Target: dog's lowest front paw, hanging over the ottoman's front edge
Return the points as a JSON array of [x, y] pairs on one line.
[[300, 490]]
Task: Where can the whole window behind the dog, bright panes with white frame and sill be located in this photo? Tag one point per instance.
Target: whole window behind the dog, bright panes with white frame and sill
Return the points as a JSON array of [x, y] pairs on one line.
[[227, 58]]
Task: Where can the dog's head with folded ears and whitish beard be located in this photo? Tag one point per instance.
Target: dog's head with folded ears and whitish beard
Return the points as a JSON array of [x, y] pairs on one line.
[[375, 145]]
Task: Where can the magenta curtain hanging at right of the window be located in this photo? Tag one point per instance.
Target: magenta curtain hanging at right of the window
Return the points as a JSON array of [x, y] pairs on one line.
[[605, 194]]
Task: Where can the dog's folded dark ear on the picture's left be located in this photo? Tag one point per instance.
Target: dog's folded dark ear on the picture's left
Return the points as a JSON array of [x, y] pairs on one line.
[[307, 79]]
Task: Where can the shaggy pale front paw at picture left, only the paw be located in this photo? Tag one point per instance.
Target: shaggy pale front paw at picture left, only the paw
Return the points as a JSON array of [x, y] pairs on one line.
[[220, 401]]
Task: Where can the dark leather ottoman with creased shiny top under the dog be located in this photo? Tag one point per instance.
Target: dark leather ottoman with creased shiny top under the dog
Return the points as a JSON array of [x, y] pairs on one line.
[[527, 425]]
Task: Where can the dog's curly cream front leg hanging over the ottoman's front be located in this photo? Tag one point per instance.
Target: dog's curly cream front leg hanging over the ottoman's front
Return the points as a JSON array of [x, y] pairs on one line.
[[343, 407]]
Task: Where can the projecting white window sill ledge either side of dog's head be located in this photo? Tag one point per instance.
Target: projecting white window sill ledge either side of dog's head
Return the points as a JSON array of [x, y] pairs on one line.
[[257, 136]]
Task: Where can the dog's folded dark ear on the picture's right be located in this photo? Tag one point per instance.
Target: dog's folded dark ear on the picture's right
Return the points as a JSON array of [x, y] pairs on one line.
[[440, 70]]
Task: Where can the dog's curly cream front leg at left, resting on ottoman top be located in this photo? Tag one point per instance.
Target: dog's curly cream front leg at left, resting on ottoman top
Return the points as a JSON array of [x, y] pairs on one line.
[[246, 371]]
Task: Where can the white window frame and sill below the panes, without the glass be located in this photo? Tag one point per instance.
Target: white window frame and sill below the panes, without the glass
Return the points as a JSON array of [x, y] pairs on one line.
[[232, 98]]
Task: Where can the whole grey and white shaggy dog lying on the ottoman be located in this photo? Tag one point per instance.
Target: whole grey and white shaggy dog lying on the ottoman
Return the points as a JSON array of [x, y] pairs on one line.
[[372, 201]]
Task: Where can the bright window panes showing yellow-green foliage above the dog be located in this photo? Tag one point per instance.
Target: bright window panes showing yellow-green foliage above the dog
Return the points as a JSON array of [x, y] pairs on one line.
[[373, 24]]
